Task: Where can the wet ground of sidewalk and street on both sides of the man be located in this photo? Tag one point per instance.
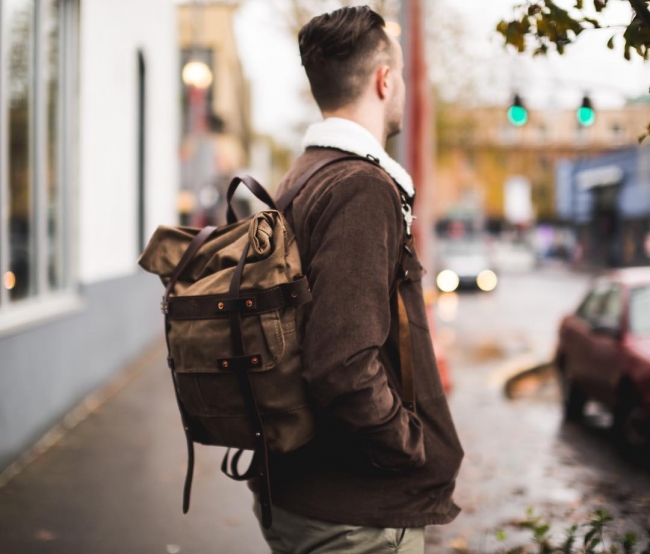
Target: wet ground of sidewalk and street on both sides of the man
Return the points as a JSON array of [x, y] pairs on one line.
[[112, 479]]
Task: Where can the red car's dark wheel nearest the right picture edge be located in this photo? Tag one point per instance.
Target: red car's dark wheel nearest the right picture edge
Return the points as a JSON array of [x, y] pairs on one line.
[[632, 425]]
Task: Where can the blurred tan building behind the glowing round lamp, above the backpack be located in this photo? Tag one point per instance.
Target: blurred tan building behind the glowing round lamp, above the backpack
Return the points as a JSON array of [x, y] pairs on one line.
[[216, 137]]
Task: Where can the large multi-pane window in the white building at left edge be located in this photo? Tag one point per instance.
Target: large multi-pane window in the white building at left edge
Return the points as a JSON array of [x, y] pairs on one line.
[[36, 85]]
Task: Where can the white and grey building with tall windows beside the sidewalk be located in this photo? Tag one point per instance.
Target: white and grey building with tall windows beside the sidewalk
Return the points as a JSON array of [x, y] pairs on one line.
[[88, 169]]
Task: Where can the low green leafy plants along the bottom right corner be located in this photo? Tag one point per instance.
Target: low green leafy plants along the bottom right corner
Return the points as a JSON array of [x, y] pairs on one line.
[[584, 538]]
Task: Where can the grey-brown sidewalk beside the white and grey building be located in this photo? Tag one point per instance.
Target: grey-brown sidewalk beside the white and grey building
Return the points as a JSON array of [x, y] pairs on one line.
[[113, 484]]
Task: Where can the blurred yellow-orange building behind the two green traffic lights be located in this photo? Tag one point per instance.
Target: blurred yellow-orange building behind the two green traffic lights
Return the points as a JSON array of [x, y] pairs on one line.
[[479, 151]]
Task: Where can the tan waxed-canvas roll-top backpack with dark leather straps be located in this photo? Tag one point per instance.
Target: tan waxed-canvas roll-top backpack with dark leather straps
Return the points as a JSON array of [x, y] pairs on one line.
[[233, 310]]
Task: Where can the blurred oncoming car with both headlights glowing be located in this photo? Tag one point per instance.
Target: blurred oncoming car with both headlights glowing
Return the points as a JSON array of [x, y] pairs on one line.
[[464, 263]]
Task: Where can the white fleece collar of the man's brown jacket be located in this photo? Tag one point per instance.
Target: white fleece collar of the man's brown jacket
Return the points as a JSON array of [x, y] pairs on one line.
[[345, 134]]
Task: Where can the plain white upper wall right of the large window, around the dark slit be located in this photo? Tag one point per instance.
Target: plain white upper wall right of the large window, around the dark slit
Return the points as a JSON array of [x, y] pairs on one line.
[[111, 33]]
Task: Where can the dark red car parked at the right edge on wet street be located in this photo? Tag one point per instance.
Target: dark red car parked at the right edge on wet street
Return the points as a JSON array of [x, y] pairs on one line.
[[603, 353]]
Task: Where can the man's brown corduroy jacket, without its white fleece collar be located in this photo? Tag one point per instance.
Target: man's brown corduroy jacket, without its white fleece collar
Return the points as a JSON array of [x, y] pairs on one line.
[[372, 462]]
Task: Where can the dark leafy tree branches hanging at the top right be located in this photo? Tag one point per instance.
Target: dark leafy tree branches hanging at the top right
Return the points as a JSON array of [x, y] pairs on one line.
[[546, 26]]
